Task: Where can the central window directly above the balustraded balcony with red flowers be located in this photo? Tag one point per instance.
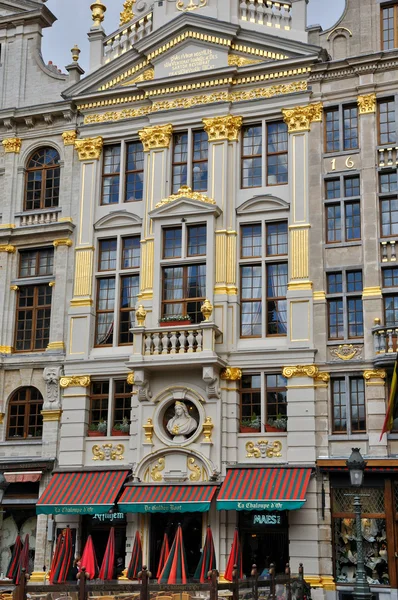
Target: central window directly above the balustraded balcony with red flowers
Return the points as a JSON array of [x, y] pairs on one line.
[[184, 286]]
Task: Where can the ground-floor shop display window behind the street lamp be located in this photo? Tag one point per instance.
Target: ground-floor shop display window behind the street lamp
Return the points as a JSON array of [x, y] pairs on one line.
[[374, 535]]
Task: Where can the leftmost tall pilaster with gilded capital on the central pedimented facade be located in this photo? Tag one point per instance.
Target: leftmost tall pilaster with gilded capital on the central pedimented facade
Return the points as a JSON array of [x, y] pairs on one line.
[[89, 151]]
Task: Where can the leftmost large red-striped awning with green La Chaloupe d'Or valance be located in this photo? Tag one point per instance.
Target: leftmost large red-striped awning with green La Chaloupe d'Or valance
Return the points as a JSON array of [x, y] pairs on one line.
[[82, 493]]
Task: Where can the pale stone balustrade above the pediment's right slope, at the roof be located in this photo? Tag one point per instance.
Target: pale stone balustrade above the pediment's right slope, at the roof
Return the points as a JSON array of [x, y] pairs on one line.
[[266, 12]]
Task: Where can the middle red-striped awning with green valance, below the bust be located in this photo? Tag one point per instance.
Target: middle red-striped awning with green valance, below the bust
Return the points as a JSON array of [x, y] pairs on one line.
[[166, 498]]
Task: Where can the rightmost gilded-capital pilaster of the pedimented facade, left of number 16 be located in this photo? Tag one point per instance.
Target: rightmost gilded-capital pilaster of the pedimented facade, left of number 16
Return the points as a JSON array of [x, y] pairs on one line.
[[299, 121]]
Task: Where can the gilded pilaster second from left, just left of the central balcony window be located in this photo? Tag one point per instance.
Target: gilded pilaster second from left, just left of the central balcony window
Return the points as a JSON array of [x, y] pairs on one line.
[[156, 141]]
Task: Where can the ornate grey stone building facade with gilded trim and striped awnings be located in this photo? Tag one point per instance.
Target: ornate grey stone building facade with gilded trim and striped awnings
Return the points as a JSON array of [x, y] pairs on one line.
[[198, 283]]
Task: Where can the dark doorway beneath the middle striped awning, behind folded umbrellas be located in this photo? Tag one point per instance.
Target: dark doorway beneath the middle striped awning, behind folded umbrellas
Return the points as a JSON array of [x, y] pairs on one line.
[[191, 524]]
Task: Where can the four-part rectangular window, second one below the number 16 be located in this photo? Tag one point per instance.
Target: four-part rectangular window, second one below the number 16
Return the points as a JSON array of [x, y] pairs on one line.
[[345, 310]]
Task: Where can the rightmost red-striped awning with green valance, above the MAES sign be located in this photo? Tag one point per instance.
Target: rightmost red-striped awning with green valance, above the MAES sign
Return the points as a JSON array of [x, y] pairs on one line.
[[264, 489]]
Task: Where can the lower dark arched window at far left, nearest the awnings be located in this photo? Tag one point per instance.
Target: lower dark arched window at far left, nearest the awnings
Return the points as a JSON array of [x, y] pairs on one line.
[[24, 414]]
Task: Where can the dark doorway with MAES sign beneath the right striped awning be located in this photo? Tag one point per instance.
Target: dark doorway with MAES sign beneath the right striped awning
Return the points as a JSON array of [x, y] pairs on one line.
[[265, 540]]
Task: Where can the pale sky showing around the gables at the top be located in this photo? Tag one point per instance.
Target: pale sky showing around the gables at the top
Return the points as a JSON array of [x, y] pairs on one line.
[[74, 21]]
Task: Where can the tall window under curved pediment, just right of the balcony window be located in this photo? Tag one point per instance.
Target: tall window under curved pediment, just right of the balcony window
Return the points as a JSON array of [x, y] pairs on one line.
[[264, 280]]
